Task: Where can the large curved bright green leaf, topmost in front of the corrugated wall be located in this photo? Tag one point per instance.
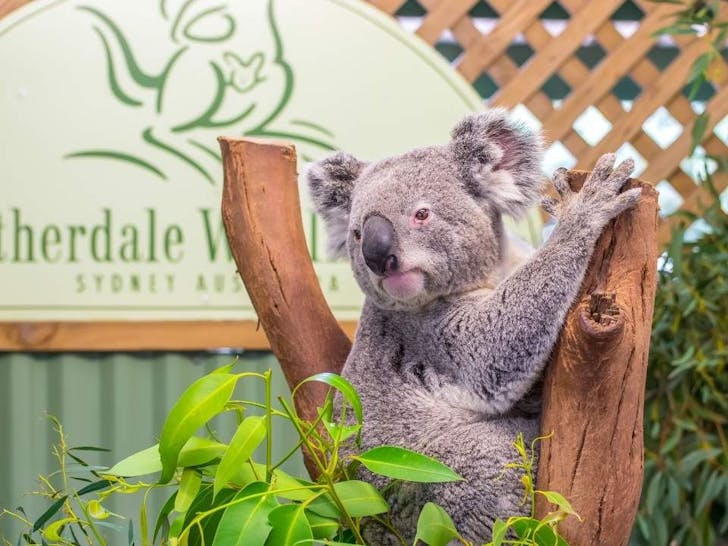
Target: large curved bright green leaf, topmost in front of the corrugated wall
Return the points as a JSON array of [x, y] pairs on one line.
[[202, 400]]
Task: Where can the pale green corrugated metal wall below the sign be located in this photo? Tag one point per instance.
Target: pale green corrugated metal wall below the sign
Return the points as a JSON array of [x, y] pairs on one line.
[[116, 401]]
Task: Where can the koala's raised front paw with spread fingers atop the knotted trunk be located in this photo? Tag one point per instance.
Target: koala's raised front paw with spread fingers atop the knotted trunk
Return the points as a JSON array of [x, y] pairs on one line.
[[599, 199]]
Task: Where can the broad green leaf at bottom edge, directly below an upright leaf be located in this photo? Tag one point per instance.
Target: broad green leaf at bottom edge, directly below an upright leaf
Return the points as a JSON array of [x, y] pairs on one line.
[[245, 523]]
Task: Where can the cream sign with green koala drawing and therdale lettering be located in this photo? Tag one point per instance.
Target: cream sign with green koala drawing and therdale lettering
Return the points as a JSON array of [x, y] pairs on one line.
[[110, 176]]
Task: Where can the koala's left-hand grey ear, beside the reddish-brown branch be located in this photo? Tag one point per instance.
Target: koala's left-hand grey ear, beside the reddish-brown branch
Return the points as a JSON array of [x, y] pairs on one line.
[[331, 182]]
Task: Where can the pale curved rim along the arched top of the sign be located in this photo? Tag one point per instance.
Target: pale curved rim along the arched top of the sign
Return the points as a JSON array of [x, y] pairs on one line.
[[375, 16]]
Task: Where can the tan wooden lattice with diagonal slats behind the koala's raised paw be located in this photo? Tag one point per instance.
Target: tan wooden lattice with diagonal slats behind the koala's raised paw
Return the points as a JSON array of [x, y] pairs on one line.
[[590, 88]]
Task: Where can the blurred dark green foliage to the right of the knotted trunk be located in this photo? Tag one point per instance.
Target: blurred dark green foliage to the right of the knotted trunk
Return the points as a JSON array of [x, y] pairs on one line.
[[685, 492]]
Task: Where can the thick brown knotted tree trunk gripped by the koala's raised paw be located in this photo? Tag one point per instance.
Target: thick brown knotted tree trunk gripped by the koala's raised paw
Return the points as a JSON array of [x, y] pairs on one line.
[[594, 385]]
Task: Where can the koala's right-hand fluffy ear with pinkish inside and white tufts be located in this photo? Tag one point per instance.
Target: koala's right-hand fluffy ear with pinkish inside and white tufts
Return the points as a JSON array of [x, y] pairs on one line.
[[499, 160]]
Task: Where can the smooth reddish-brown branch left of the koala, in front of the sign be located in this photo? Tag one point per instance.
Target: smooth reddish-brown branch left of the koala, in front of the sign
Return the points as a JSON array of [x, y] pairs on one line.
[[262, 216]]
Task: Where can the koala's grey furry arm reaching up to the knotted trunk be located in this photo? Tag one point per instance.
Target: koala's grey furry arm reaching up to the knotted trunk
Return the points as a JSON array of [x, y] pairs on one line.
[[501, 341]]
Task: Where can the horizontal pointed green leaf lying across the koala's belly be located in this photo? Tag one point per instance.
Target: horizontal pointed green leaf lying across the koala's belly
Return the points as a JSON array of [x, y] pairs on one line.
[[404, 464]]
